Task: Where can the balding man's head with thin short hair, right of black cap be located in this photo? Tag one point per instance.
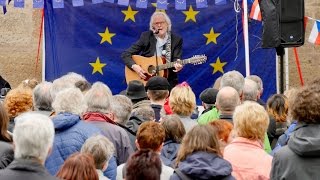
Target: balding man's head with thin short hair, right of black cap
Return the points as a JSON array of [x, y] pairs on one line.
[[227, 101]]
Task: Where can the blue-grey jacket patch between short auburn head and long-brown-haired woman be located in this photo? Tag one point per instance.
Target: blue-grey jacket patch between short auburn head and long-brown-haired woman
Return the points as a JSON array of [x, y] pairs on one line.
[[169, 153]]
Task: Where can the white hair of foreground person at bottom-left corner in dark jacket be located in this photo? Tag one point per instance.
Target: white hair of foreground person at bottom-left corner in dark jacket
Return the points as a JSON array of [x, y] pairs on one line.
[[33, 136]]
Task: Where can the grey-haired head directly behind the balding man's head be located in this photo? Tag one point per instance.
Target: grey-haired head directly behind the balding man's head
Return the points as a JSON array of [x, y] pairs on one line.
[[233, 79]]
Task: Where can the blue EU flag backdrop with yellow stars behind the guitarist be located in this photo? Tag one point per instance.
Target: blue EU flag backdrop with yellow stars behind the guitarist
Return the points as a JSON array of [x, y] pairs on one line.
[[89, 40]]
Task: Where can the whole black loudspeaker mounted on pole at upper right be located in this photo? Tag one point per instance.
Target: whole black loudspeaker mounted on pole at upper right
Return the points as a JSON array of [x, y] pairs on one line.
[[283, 23]]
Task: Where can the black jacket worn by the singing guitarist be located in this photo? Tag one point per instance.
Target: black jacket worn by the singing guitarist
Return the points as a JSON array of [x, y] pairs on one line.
[[146, 46]]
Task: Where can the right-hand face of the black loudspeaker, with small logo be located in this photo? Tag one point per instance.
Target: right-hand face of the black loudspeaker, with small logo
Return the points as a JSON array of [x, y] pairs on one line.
[[291, 15]]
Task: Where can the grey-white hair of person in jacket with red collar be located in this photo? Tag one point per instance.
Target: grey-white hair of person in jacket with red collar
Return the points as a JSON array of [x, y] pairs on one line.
[[98, 98]]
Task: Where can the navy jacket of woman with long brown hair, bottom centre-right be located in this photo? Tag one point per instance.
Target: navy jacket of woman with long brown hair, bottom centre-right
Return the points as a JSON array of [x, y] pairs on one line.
[[204, 165]]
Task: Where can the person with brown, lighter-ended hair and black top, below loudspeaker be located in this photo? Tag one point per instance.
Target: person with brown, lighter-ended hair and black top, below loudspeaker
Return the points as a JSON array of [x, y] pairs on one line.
[[277, 108]]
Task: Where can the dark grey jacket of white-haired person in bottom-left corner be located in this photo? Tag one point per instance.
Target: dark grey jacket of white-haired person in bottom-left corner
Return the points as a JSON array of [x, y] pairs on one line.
[[25, 169]]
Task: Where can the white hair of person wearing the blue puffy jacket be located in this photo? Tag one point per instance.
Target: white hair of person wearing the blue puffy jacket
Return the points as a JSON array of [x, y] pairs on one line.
[[69, 100]]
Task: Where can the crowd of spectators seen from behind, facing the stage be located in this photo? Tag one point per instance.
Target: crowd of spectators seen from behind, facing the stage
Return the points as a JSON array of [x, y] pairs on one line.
[[71, 129]]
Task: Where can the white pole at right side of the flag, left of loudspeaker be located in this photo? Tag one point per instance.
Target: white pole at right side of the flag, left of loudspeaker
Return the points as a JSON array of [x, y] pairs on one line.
[[246, 36]]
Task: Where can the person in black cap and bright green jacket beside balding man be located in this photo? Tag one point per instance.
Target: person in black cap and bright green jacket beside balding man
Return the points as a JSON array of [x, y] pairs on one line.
[[208, 98]]
